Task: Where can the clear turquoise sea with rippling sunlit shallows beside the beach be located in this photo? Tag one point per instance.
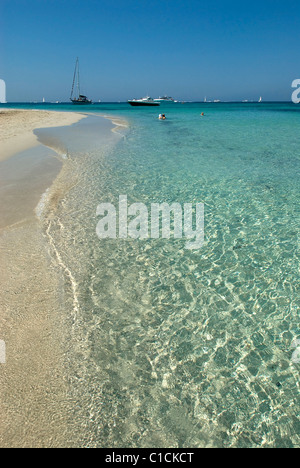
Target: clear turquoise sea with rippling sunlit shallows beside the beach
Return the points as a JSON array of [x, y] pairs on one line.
[[169, 347]]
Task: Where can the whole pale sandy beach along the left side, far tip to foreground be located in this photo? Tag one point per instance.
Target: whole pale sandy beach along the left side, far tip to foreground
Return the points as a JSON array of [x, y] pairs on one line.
[[34, 395]]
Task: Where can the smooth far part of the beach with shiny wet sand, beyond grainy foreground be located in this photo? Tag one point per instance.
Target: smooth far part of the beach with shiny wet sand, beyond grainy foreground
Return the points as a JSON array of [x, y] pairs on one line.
[[27, 168]]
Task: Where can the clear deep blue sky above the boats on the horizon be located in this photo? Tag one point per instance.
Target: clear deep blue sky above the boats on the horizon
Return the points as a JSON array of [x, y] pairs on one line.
[[221, 49]]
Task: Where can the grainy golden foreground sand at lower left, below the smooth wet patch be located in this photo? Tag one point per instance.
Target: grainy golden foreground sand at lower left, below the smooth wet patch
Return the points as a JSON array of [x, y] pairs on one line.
[[33, 392]]
